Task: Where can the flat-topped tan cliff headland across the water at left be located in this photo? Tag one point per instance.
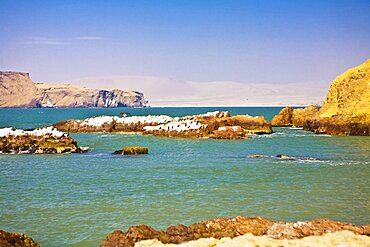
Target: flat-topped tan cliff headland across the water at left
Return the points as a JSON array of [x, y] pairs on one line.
[[18, 90]]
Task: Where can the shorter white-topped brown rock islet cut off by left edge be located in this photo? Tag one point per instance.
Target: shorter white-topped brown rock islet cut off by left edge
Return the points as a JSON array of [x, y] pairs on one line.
[[46, 140]]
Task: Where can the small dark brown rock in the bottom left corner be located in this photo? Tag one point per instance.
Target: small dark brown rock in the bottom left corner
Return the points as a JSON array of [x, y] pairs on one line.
[[10, 239]]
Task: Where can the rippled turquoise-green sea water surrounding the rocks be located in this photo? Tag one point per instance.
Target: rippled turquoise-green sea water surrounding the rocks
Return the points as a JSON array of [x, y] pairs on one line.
[[77, 199]]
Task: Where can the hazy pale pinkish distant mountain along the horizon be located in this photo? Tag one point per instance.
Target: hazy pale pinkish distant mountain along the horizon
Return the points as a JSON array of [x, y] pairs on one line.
[[165, 91]]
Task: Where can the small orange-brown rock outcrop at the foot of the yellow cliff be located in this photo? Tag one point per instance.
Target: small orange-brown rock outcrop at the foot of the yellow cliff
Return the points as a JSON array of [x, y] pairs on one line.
[[289, 117]]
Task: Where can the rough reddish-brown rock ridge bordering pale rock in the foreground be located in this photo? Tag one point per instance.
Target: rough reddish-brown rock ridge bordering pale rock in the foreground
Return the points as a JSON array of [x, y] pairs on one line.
[[231, 228]]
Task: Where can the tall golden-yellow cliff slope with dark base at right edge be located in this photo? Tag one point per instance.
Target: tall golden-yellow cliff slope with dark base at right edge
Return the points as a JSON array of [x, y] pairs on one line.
[[346, 110]]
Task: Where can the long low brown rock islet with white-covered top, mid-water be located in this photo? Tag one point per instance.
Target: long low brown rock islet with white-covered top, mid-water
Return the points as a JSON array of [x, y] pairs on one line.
[[217, 125]]
